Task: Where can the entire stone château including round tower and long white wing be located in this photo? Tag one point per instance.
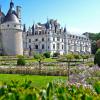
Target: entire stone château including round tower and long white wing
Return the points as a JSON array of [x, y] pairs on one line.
[[40, 38]]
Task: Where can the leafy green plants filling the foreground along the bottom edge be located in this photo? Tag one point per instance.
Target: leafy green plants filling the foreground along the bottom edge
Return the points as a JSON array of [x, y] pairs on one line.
[[53, 91]]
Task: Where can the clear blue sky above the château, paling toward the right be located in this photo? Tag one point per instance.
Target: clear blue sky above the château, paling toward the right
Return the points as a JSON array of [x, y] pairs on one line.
[[77, 15]]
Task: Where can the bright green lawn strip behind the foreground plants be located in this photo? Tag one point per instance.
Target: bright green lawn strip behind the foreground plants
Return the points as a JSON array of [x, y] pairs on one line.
[[38, 81]]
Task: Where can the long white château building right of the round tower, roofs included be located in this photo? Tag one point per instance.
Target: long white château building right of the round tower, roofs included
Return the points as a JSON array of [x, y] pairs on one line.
[[51, 37]]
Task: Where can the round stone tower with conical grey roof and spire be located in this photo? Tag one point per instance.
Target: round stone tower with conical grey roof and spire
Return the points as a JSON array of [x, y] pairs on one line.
[[11, 33]]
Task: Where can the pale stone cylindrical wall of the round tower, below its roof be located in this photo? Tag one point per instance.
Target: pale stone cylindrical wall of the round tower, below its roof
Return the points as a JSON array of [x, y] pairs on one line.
[[12, 39]]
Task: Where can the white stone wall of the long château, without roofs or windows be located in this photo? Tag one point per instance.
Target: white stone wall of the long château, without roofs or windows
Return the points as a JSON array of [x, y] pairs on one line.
[[81, 44]]
